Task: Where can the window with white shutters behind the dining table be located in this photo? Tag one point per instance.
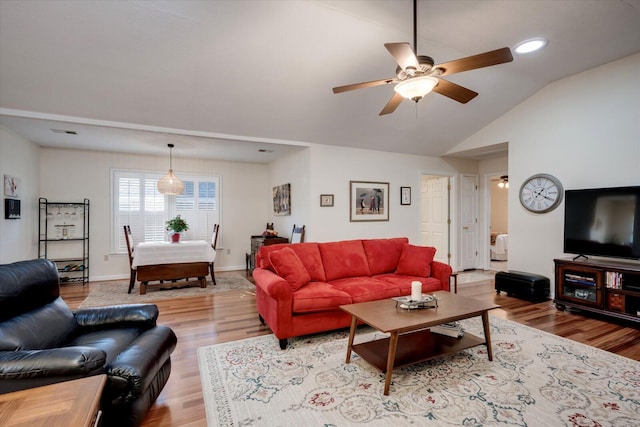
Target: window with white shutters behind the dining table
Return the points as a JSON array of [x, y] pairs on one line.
[[136, 202]]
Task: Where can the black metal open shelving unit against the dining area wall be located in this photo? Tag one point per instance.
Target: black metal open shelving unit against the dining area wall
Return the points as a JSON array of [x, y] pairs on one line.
[[63, 235]]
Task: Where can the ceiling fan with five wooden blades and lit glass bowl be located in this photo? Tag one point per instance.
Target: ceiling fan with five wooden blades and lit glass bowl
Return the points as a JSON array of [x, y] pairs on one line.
[[416, 75]]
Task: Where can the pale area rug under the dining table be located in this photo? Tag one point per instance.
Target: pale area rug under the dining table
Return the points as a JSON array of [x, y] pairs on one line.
[[114, 293]]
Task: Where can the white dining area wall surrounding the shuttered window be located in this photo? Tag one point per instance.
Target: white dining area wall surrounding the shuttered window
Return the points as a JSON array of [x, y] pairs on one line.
[[71, 175]]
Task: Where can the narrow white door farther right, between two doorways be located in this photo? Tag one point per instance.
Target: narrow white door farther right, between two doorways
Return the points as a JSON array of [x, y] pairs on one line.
[[469, 222]]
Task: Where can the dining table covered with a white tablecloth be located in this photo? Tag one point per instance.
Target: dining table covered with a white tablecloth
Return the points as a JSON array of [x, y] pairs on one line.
[[164, 261]]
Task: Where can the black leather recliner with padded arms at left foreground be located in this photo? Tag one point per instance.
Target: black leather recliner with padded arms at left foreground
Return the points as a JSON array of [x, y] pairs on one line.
[[43, 342]]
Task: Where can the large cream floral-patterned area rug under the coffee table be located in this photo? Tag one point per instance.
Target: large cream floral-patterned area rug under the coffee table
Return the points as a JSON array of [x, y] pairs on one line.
[[535, 379]]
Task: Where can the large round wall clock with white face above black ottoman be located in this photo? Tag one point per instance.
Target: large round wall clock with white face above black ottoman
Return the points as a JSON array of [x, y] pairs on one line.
[[541, 193]]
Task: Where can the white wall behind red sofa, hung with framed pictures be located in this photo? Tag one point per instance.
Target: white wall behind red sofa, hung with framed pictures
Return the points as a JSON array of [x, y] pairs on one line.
[[331, 169]]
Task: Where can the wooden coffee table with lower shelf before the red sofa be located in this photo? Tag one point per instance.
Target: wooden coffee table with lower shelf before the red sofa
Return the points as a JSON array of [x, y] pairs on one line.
[[411, 341]]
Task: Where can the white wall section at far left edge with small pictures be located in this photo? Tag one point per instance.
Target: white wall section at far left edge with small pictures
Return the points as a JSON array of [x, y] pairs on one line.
[[19, 158]]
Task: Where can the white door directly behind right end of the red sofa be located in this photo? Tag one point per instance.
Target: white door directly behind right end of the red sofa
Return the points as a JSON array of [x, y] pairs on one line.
[[434, 224]]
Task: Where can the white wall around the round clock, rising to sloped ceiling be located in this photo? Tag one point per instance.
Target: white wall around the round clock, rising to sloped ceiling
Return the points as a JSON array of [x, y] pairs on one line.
[[585, 130]]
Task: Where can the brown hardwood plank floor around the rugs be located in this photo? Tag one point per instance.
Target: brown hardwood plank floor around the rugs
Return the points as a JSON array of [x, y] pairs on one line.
[[232, 316]]
